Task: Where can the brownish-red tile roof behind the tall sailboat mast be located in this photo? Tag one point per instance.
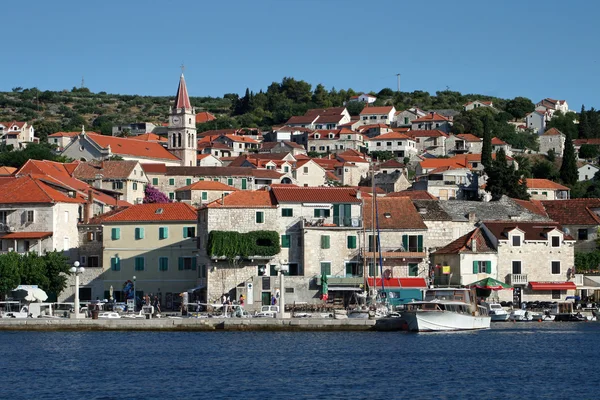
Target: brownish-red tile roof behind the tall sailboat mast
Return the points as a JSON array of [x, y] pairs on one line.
[[392, 213]]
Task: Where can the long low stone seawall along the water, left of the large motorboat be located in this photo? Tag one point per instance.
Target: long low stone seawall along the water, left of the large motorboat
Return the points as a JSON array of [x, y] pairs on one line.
[[194, 324]]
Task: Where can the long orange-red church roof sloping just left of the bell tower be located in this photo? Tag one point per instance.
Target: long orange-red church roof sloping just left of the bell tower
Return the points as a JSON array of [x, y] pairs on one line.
[[132, 147]]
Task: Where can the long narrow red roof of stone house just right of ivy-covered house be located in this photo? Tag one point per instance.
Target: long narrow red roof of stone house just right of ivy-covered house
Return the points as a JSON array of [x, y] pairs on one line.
[[315, 195]]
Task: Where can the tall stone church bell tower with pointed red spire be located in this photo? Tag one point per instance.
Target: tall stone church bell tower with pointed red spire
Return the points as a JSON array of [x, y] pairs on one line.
[[182, 127]]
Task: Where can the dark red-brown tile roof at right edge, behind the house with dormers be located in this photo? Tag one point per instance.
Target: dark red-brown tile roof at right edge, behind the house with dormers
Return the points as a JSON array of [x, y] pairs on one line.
[[573, 211]]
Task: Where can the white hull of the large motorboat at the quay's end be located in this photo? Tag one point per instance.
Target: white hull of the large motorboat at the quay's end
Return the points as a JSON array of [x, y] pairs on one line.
[[440, 321]]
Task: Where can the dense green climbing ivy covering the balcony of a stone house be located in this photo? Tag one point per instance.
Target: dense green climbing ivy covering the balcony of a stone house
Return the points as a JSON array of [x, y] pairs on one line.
[[232, 245]]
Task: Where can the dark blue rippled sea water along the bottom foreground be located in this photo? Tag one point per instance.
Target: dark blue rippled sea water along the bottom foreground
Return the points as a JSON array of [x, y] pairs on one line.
[[511, 360]]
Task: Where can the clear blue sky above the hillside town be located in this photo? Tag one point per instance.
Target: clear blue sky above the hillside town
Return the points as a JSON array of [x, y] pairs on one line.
[[506, 49]]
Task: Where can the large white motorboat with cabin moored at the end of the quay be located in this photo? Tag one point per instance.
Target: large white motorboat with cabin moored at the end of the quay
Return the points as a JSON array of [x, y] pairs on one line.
[[446, 309]]
